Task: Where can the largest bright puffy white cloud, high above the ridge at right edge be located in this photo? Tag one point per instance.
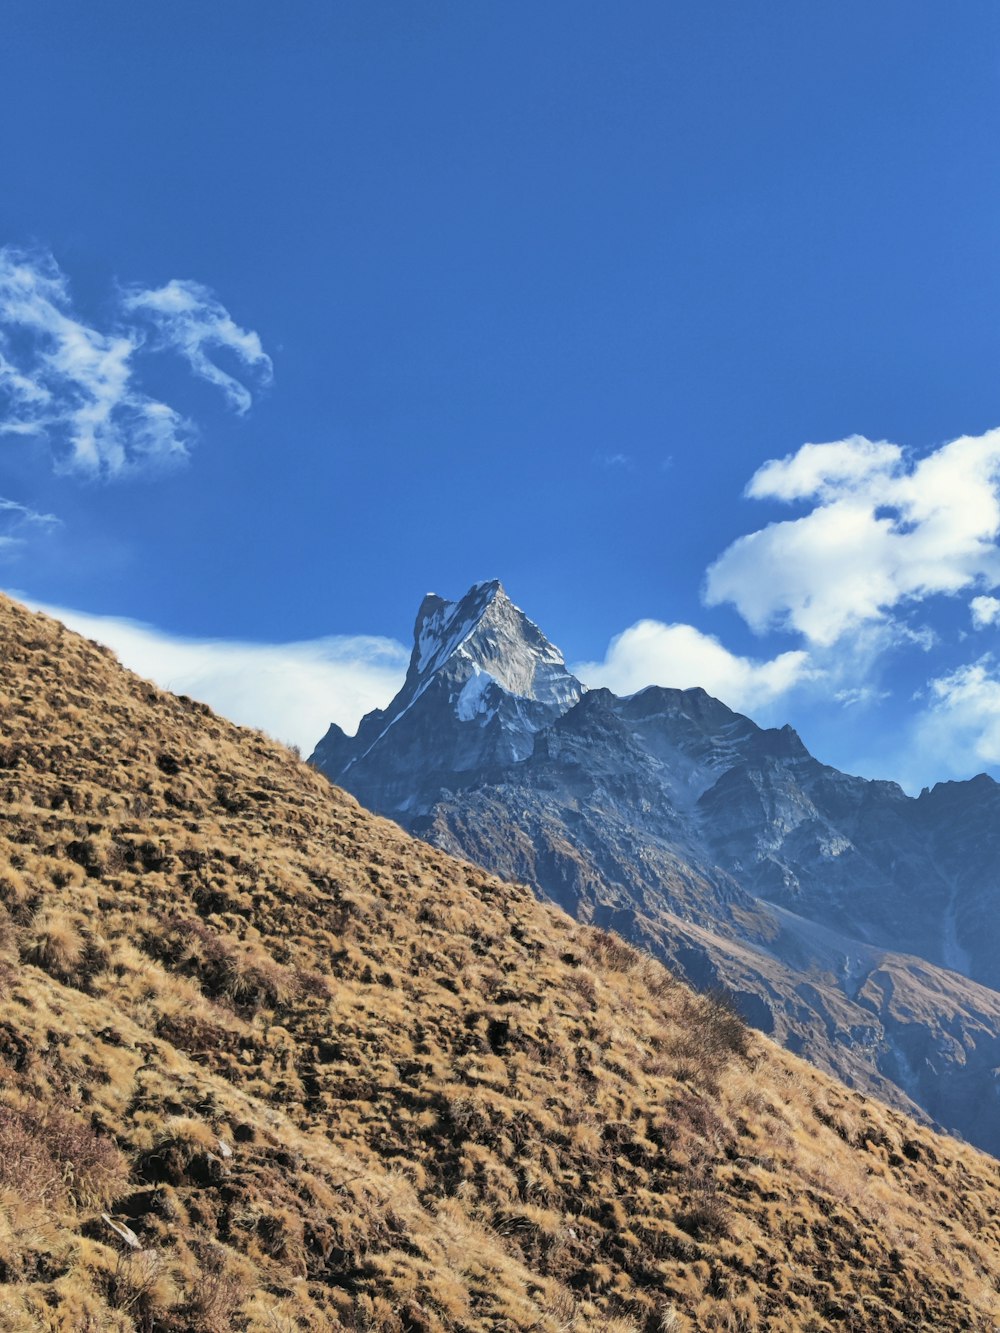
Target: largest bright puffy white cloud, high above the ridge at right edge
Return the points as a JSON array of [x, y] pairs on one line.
[[883, 531]]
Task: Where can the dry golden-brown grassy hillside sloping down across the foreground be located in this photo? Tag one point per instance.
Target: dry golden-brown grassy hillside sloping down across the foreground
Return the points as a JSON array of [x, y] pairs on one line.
[[269, 1064]]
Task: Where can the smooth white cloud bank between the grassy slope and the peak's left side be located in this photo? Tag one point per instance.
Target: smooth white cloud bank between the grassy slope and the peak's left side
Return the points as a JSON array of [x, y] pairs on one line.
[[291, 691]]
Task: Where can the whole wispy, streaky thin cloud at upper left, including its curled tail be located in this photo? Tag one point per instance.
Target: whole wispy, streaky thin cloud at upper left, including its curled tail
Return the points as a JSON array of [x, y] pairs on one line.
[[78, 387]]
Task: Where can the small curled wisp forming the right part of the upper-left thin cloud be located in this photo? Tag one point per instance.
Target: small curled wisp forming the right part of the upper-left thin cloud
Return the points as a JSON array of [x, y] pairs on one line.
[[190, 319]]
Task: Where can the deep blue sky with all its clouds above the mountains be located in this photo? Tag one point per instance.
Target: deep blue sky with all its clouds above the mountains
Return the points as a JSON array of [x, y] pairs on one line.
[[309, 313]]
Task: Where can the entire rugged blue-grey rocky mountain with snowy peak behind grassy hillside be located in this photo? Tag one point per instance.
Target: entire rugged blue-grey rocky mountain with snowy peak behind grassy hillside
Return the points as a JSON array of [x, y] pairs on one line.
[[858, 926]]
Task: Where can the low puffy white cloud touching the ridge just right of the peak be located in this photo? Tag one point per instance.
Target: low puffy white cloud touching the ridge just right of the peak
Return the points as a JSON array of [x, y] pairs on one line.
[[681, 657]]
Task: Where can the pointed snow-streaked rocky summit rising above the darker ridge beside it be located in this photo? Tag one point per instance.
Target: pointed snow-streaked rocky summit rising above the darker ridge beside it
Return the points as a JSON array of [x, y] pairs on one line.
[[482, 683]]
